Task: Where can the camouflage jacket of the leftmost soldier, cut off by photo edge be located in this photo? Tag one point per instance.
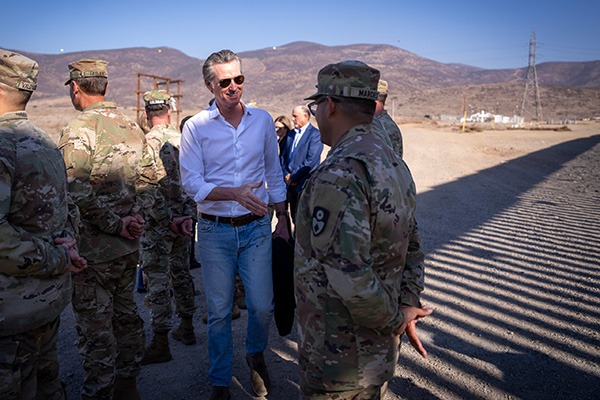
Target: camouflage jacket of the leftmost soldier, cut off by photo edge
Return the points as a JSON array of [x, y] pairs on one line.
[[34, 272]]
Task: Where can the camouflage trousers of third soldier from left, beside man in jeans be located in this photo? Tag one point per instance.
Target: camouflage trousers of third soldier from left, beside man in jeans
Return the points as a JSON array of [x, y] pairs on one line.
[[165, 262]]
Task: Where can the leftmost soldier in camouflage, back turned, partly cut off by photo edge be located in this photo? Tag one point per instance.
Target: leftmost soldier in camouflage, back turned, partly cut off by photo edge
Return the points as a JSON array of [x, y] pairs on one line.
[[37, 242]]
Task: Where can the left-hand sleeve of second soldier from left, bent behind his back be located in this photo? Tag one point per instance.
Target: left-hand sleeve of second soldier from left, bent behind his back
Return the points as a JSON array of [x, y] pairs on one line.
[[76, 145]]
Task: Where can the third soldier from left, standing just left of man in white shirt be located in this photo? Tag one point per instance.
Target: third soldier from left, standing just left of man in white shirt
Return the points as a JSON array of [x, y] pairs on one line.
[[166, 243]]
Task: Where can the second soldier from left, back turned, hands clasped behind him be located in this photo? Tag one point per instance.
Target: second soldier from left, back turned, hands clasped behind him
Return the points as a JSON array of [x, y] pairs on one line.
[[111, 179]]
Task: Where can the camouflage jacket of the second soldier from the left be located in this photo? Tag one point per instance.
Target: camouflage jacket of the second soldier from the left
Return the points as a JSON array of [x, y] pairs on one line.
[[110, 175]]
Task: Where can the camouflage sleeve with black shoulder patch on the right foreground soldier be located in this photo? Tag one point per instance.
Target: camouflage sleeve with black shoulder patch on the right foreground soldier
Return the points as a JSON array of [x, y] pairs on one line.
[[343, 247]]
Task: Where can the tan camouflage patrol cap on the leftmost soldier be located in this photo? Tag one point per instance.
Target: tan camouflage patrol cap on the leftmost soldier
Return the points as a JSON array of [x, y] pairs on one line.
[[18, 71]]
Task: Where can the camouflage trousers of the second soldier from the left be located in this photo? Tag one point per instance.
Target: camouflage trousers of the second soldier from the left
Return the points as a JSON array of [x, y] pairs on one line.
[[111, 332]]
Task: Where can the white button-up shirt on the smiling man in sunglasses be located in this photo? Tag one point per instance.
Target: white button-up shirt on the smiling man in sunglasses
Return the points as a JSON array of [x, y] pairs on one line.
[[215, 154]]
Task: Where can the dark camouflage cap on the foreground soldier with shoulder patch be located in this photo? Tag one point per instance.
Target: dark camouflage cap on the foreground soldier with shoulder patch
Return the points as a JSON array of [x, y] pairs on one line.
[[351, 78]]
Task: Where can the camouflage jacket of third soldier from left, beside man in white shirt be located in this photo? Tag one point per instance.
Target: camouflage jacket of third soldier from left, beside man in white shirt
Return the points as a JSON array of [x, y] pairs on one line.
[[163, 141]]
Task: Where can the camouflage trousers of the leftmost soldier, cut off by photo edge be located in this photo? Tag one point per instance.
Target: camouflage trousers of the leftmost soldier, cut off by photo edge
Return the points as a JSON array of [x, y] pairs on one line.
[[29, 365]]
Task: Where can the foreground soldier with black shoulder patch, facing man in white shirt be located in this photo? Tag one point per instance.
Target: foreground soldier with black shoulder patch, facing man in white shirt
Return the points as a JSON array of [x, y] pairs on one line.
[[356, 291]]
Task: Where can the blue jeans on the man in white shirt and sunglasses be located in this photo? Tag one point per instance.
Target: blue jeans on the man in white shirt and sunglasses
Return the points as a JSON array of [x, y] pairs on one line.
[[223, 251]]
